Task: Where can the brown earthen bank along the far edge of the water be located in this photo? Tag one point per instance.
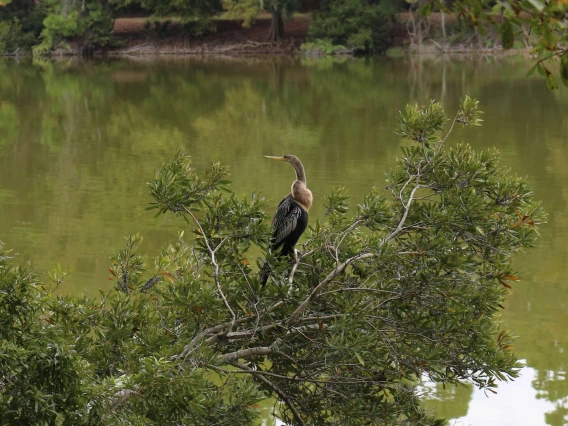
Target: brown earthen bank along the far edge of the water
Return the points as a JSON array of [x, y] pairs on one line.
[[137, 38]]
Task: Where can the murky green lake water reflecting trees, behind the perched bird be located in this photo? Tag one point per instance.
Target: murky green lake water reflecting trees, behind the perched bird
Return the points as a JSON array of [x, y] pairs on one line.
[[79, 140]]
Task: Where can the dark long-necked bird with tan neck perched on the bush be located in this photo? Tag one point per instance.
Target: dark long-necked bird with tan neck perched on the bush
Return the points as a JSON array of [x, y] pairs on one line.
[[291, 218]]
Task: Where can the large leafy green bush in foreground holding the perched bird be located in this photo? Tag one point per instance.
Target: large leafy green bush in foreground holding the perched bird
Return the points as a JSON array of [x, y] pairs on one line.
[[384, 293]]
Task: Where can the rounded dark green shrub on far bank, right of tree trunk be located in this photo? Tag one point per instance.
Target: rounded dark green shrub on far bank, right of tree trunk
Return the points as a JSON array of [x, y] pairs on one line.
[[353, 23]]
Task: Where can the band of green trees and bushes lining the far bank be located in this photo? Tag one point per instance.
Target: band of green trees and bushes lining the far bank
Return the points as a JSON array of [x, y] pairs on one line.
[[356, 25]]
